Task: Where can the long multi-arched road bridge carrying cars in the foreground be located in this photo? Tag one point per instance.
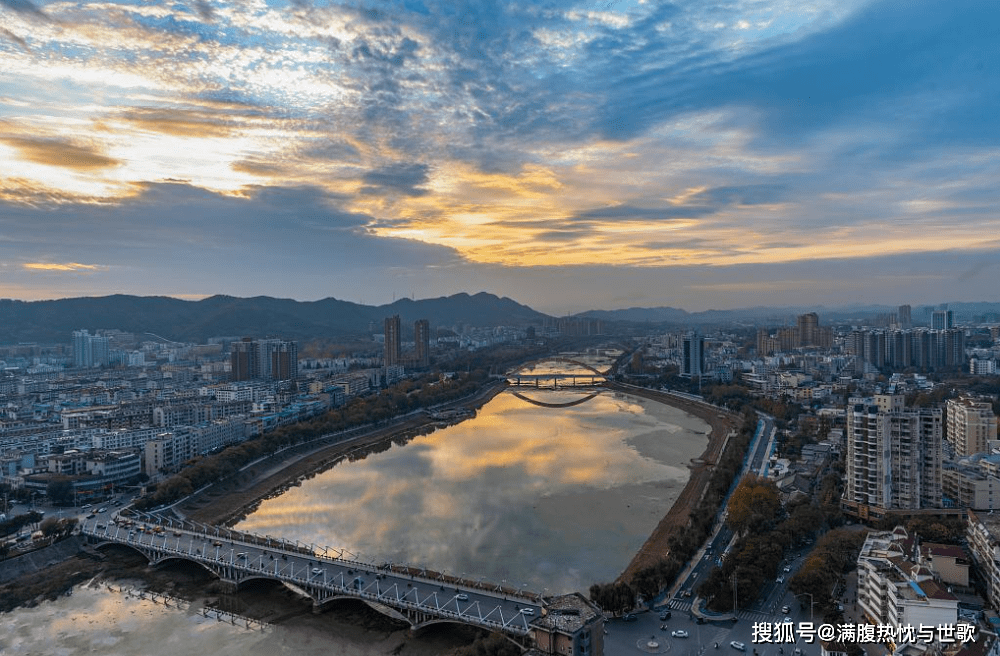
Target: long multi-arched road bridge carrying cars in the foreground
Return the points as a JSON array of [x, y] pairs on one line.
[[412, 595]]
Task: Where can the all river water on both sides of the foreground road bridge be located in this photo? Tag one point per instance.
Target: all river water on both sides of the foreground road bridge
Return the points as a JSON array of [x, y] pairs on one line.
[[553, 498]]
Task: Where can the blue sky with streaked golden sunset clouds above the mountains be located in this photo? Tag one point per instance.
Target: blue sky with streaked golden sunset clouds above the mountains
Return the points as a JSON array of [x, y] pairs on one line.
[[571, 155]]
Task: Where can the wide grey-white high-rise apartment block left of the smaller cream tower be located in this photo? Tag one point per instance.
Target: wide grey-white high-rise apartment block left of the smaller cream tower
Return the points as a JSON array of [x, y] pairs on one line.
[[894, 459]]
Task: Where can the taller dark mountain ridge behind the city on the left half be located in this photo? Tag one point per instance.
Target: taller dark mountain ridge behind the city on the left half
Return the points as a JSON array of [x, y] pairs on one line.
[[216, 316]]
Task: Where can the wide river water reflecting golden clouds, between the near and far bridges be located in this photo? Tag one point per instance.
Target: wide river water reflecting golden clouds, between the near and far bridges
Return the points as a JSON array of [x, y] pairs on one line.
[[554, 498]]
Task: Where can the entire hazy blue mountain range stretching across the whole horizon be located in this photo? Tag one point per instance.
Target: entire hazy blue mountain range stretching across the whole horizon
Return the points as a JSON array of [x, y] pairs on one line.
[[227, 316]]
